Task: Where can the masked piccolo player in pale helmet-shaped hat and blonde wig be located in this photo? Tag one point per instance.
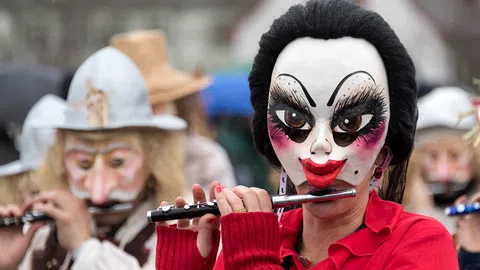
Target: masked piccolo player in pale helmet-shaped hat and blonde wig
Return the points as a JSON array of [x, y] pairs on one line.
[[112, 162]]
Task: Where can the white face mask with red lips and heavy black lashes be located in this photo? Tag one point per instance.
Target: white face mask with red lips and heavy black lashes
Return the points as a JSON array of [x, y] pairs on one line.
[[328, 110]]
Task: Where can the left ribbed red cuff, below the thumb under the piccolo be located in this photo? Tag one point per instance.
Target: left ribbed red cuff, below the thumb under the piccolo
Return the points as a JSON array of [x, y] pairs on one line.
[[177, 249]]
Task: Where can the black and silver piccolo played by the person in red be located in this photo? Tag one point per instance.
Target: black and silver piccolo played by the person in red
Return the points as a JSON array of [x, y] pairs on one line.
[[169, 212]]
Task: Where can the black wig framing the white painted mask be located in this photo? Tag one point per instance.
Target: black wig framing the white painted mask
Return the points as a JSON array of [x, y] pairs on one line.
[[332, 19]]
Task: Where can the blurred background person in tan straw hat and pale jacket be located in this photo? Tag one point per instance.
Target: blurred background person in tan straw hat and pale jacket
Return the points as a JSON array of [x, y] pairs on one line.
[[175, 92]]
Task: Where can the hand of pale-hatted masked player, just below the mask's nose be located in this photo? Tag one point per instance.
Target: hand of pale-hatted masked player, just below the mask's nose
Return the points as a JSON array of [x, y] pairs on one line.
[[72, 219]]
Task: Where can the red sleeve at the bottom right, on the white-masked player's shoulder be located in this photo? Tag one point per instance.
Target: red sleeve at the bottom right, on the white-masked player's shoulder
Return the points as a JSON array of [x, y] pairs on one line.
[[426, 245]]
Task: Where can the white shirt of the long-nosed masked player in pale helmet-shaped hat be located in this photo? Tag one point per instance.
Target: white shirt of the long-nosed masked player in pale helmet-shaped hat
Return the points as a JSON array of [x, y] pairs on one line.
[[96, 255]]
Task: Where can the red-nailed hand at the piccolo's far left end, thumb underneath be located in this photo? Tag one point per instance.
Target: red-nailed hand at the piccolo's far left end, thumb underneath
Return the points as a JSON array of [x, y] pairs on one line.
[[204, 225]]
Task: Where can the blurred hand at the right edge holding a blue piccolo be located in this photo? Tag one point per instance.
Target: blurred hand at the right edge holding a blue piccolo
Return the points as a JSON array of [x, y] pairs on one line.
[[468, 226]]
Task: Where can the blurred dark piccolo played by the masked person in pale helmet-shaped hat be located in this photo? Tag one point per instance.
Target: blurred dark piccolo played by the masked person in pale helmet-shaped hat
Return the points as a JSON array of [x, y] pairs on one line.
[[34, 216]]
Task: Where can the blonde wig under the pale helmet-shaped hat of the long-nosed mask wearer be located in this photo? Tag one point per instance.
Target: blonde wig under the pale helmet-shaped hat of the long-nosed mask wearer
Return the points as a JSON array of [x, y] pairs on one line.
[[164, 154]]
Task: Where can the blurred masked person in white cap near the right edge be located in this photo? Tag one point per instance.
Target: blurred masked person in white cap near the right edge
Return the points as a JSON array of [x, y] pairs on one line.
[[443, 166]]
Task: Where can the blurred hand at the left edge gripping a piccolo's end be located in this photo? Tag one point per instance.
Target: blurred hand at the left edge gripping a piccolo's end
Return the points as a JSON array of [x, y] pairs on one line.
[[14, 243]]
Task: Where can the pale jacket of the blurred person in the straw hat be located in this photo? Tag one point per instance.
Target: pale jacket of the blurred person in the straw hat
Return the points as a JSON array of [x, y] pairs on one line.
[[206, 161]]
